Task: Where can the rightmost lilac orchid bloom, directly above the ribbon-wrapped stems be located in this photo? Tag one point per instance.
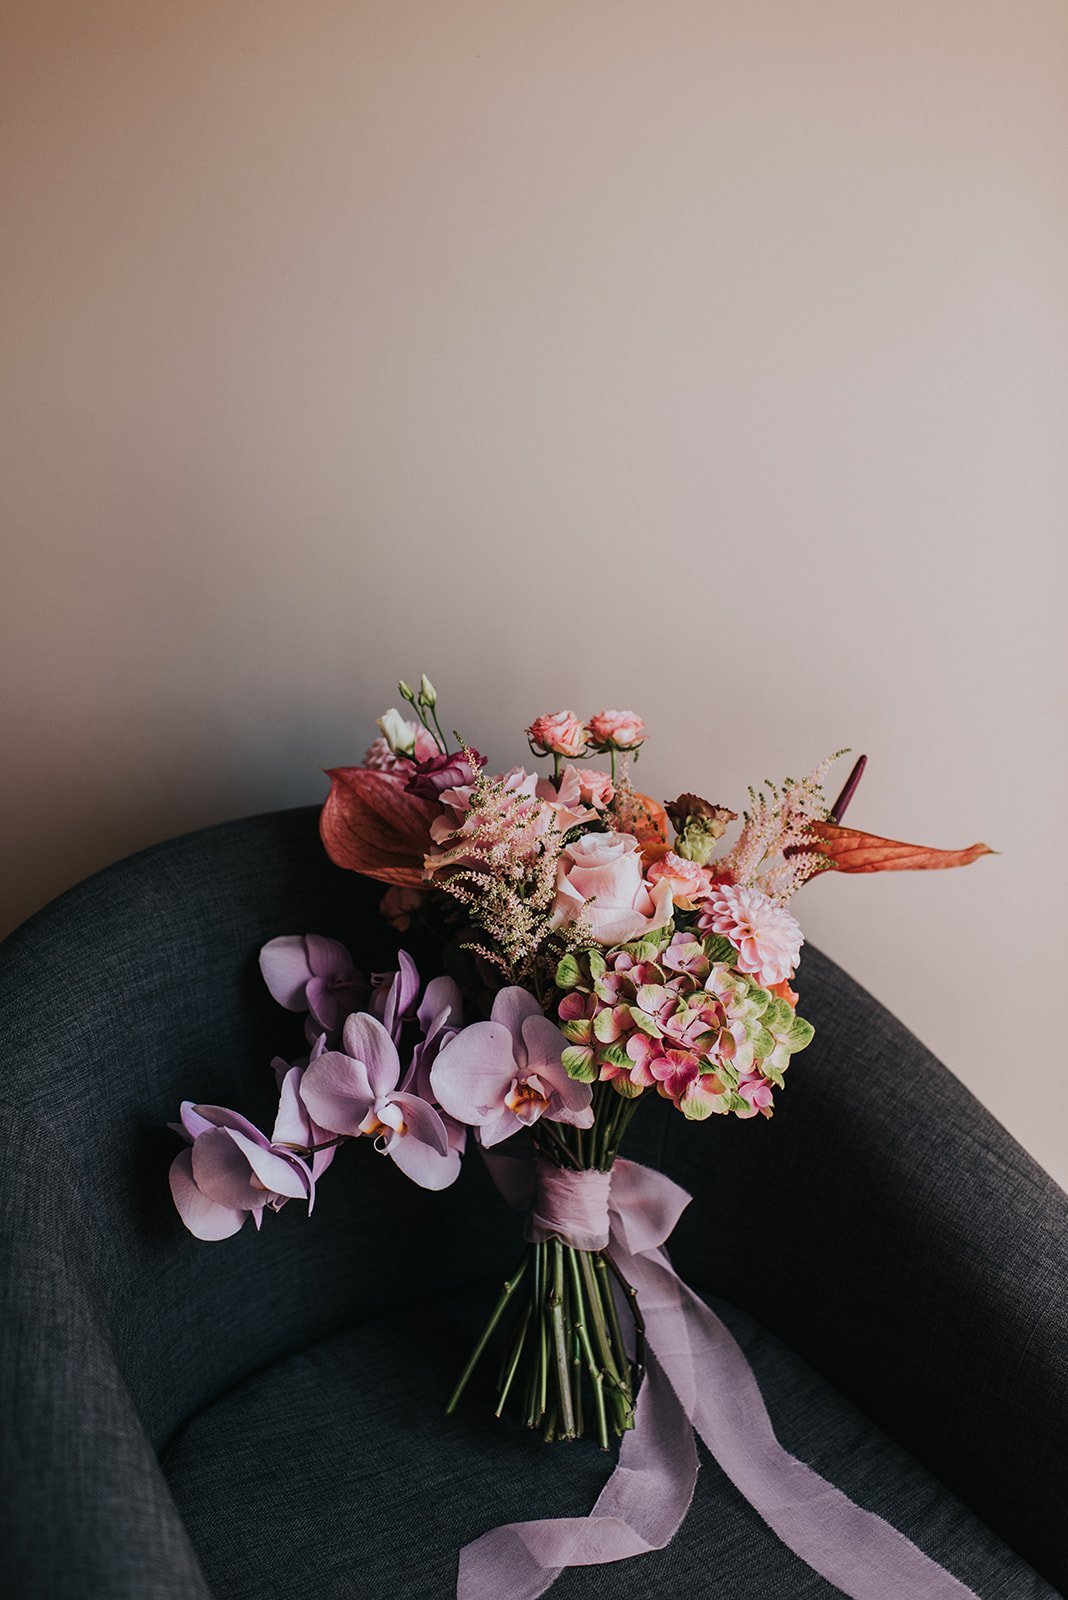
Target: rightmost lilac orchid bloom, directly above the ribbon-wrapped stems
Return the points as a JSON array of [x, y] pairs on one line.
[[504, 1074]]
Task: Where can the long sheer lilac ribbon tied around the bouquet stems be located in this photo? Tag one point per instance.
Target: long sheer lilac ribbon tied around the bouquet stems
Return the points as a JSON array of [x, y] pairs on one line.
[[699, 1382]]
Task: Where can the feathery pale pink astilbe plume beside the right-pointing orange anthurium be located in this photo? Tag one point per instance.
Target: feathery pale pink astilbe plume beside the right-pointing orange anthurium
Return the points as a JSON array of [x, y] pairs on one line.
[[776, 850]]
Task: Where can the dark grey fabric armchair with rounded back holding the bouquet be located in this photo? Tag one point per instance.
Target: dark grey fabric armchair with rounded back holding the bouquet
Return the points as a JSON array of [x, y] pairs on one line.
[[263, 1417]]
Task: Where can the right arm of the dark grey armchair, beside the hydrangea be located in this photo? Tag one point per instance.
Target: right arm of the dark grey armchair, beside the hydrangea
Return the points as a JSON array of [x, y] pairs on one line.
[[893, 1233]]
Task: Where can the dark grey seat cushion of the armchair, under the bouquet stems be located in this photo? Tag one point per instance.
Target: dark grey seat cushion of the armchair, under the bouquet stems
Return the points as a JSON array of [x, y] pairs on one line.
[[337, 1474]]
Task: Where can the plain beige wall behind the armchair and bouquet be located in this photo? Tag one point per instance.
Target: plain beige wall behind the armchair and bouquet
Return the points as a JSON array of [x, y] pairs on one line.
[[711, 358]]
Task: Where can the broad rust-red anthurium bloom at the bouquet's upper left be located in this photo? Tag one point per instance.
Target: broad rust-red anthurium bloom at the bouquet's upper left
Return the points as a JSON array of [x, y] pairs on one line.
[[372, 825]]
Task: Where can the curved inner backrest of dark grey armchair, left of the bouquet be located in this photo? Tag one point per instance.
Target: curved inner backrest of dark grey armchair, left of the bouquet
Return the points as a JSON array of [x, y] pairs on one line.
[[140, 990]]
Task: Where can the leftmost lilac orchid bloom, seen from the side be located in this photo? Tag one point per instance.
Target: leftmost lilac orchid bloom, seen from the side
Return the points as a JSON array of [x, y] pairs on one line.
[[231, 1172]]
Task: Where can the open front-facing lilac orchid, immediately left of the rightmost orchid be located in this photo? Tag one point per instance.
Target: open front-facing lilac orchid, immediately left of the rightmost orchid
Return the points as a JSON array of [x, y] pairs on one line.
[[356, 1092]]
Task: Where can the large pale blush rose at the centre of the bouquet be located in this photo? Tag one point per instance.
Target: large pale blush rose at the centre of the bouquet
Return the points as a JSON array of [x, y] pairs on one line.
[[605, 870]]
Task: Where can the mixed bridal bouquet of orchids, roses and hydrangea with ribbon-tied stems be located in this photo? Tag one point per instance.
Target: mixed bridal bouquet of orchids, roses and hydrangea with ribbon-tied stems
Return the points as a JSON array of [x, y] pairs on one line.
[[596, 948]]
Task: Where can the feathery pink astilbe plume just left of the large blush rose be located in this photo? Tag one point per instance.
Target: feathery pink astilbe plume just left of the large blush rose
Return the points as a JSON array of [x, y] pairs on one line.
[[501, 865]]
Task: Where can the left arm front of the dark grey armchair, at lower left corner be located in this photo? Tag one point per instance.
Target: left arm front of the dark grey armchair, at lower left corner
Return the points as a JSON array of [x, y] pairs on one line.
[[86, 1511]]
